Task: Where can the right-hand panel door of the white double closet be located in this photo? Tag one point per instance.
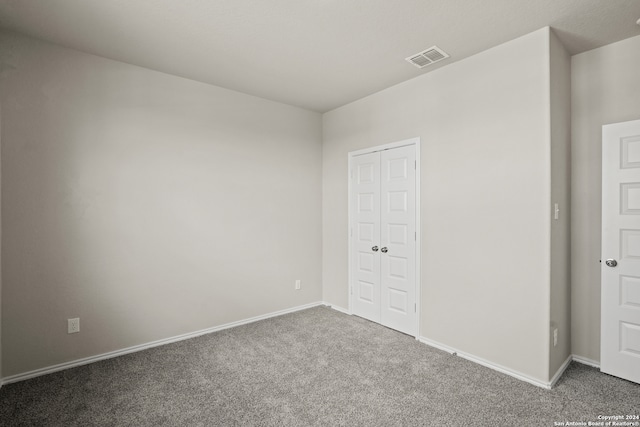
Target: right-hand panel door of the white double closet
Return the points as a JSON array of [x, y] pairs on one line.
[[398, 239]]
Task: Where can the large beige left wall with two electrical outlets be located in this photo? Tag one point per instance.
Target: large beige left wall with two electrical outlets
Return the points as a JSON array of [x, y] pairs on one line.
[[146, 204]]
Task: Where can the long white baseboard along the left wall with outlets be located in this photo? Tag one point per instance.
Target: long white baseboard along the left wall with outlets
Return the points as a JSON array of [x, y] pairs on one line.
[[136, 348]]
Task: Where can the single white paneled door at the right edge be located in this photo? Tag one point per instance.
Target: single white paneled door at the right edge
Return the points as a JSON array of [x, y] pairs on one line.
[[620, 314]]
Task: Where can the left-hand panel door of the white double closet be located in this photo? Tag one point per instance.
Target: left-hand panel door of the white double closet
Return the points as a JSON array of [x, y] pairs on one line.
[[365, 228]]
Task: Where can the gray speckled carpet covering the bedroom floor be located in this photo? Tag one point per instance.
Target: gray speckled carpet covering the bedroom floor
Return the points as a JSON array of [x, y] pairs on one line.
[[313, 367]]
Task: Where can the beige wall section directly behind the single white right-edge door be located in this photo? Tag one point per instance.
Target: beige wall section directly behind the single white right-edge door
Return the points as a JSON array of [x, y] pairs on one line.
[[605, 89]]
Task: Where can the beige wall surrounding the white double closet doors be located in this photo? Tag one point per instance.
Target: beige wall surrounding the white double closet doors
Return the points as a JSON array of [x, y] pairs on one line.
[[485, 189]]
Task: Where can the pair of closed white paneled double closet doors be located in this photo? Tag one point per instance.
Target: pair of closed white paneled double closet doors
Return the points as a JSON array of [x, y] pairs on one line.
[[383, 224]]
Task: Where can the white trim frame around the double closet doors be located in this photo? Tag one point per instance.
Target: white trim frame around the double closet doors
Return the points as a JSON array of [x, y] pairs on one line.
[[406, 142]]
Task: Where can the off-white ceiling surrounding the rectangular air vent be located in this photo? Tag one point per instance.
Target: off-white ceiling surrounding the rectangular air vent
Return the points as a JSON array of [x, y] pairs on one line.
[[316, 54]]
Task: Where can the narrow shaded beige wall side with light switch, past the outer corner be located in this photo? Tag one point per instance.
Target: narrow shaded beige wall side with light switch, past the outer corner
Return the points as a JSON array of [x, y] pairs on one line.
[[560, 303]]
